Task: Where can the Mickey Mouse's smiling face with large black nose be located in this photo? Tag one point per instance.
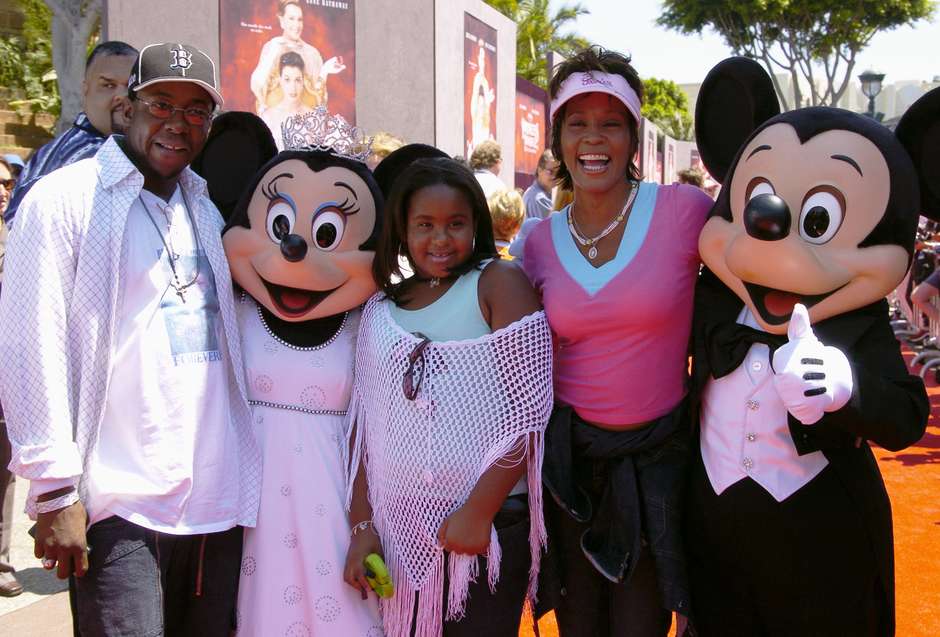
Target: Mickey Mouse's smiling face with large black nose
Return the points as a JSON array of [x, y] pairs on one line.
[[835, 188]]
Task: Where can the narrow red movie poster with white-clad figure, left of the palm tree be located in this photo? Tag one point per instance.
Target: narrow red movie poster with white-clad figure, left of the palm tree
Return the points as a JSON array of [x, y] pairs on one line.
[[479, 54]]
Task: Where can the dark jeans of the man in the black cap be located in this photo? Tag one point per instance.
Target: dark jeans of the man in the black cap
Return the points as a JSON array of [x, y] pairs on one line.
[[146, 584]]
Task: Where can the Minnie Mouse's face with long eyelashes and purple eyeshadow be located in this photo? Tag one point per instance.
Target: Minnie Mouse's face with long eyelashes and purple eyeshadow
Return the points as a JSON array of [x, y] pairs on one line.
[[300, 258]]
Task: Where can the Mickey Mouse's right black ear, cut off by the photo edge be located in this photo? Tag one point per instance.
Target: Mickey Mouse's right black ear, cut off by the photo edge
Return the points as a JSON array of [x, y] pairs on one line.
[[919, 132]]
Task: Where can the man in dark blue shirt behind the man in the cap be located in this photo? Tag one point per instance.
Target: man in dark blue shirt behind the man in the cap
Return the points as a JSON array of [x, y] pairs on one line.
[[103, 88]]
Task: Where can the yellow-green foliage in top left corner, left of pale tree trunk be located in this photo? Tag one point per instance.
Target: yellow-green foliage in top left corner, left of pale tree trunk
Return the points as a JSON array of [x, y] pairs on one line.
[[26, 61]]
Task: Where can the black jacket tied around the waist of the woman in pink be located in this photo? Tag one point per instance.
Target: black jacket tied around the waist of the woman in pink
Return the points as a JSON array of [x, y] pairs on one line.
[[627, 485]]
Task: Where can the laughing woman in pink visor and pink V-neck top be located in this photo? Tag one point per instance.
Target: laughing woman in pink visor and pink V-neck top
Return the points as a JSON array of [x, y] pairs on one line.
[[616, 270]]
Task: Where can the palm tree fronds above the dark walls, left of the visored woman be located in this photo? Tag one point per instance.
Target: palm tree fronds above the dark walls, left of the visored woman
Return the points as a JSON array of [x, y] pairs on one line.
[[538, 31]]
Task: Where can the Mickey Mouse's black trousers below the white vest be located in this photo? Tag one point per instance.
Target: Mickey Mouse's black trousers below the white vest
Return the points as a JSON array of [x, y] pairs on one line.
[[762, 568]]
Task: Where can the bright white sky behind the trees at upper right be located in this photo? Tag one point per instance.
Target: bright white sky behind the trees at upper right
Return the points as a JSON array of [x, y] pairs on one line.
[[909, 53]]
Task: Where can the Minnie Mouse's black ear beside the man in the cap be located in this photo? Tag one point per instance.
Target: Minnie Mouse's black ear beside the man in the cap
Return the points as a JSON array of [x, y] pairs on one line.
[[239, 143]]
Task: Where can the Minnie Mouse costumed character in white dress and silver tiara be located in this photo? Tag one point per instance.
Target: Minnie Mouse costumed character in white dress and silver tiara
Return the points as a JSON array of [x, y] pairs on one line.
[[300, 244]]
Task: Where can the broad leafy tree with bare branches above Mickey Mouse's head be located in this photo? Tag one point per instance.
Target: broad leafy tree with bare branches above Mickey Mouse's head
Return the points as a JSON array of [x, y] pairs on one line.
[[813, 41]]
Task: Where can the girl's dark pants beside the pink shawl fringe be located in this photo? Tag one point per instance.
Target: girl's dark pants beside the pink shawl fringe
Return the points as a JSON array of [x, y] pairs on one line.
[[498, 614]]
